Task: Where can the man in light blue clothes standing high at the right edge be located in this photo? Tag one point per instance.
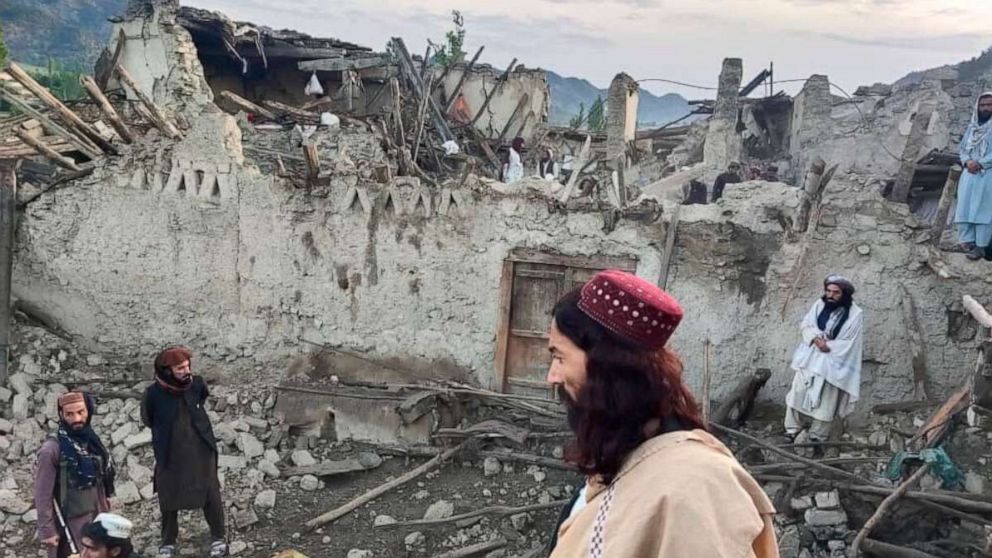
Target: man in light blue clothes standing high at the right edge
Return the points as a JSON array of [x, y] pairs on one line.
[[974, 210]]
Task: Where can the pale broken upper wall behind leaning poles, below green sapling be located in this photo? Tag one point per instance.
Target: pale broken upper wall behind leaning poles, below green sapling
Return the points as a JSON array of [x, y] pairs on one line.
[[481, 82]]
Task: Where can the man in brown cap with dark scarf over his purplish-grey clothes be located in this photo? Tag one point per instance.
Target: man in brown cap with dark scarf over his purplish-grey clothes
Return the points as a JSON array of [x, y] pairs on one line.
[[73, 472]]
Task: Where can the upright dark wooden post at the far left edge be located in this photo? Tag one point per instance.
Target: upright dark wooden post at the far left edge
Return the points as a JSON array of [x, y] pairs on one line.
[[8, 214]]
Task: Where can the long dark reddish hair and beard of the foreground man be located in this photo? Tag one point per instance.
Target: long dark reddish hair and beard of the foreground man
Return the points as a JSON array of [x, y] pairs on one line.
[[626, 386]]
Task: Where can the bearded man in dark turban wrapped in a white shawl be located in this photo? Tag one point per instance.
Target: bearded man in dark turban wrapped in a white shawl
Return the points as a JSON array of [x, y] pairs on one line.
[[827, 363]]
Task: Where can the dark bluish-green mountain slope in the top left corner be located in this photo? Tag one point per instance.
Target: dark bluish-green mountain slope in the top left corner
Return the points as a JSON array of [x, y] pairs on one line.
[[72, 32]]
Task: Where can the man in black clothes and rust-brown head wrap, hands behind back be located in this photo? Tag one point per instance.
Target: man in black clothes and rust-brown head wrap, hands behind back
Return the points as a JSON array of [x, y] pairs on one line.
[[185, 449]]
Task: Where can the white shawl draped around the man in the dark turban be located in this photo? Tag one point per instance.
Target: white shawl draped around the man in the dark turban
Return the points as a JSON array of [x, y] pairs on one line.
[[841, 367]]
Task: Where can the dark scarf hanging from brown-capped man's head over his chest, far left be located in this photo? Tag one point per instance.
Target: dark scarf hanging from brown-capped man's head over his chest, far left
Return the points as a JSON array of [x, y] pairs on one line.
[[88, 459]]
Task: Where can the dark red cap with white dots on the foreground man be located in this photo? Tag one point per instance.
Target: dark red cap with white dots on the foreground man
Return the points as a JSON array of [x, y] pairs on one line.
[[631, 307]]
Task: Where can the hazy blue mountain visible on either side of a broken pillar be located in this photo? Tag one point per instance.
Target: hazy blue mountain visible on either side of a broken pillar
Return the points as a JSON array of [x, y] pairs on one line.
[[567, 94]]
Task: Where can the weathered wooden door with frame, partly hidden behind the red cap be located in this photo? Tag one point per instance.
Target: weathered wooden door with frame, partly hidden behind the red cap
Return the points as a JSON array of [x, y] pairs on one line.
[[532, 284]]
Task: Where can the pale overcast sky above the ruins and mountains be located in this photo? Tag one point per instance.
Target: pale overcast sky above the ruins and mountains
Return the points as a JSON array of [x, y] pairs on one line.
[[855, 42]]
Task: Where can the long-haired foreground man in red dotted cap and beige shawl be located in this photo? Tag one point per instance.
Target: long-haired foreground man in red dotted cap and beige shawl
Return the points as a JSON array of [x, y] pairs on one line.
[[657, 483]]
